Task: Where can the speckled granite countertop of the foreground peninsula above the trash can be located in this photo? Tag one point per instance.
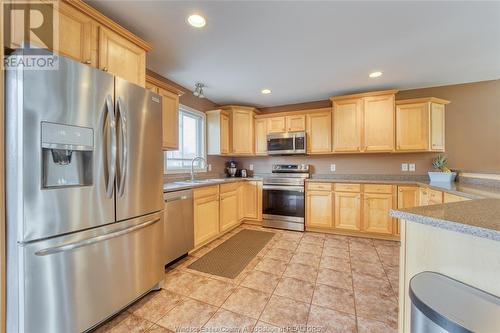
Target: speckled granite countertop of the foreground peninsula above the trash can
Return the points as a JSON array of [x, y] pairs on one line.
[[479, 218]]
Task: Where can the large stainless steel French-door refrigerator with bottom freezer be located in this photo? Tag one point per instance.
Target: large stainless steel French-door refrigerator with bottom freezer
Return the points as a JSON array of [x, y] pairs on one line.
[[84, 196]]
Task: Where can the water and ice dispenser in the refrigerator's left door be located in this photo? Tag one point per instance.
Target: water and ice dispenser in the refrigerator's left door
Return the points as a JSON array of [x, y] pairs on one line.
[[67, 154]]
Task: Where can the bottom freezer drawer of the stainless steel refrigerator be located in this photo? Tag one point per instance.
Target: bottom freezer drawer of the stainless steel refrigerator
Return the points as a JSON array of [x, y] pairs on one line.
[[72, 283]]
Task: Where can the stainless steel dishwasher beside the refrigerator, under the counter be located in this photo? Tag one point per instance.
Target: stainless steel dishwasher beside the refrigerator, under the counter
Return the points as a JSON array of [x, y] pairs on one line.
[[179, 224]]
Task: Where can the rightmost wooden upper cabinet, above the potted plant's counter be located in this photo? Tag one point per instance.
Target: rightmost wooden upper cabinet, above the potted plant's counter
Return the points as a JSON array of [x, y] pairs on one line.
[[420, 124]]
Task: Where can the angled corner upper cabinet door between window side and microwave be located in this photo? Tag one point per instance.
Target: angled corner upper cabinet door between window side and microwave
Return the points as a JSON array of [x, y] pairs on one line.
[[243, 132]]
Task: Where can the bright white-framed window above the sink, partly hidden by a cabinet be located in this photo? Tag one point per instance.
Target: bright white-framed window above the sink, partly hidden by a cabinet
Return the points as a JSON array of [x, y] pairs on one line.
[[191, 142]]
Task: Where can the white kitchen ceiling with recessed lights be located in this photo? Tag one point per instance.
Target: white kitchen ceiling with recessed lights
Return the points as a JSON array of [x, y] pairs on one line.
[[310, 50]]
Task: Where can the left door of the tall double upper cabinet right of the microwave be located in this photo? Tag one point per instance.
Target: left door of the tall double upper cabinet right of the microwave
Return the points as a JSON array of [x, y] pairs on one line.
[[347, 125]]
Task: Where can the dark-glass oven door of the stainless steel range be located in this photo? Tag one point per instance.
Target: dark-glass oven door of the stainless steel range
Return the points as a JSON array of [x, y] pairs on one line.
[[282, 202]]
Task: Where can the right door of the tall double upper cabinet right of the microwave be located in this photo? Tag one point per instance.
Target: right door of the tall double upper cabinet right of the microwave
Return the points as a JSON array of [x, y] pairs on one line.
[[378, 123]]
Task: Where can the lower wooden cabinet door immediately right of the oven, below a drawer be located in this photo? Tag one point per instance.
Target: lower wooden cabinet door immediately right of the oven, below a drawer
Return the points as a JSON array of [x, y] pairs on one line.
[[319, 211]]
